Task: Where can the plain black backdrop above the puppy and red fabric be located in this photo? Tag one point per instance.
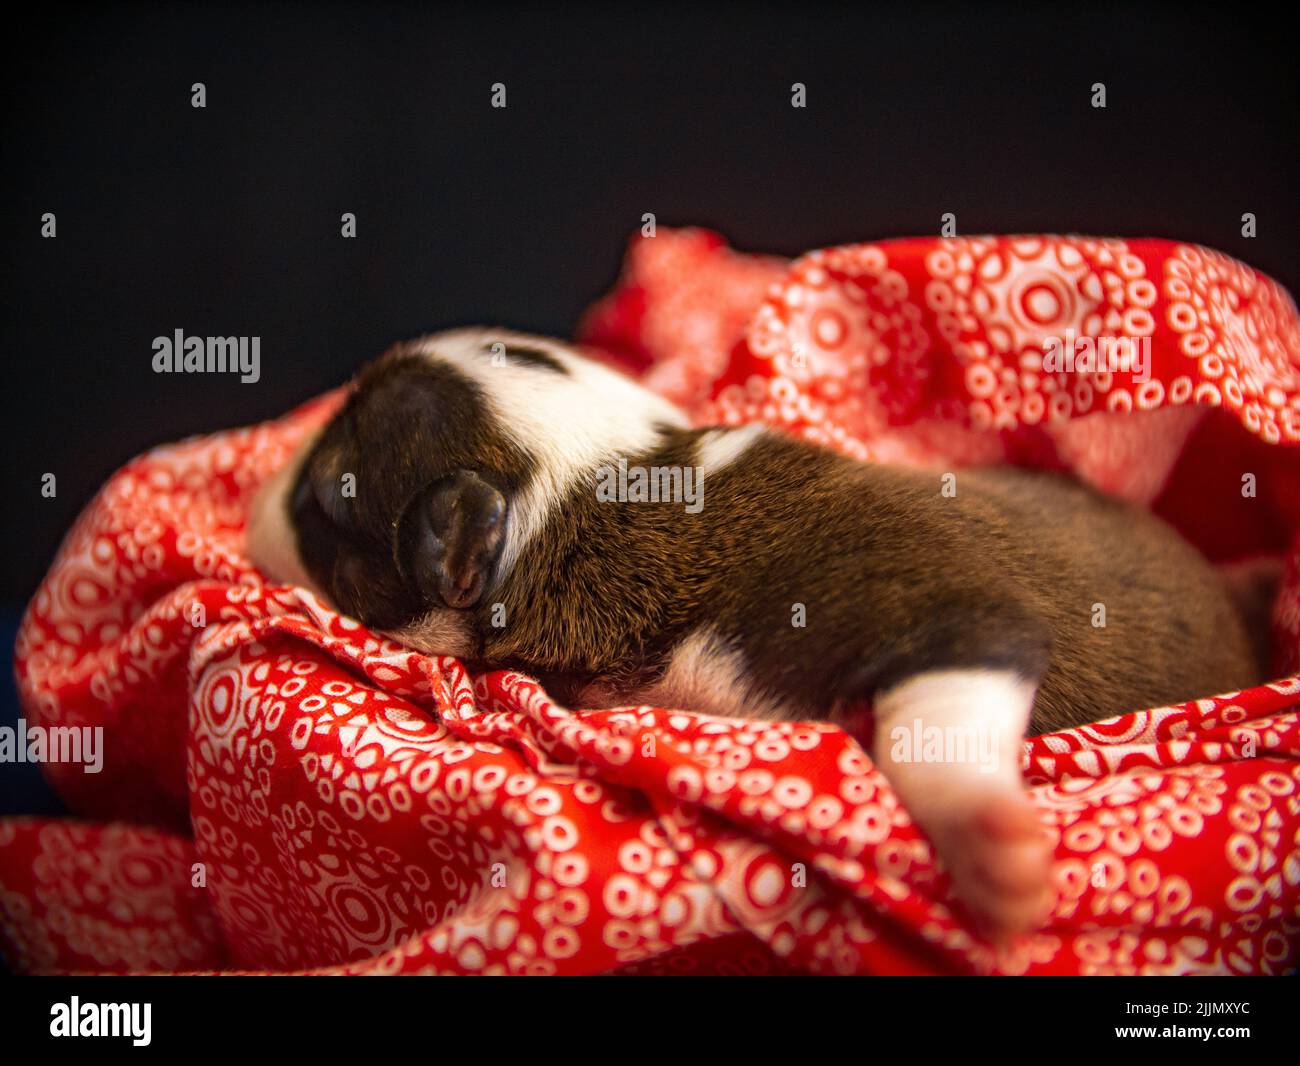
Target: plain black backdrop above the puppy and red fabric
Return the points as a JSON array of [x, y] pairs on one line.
[[227, 220]]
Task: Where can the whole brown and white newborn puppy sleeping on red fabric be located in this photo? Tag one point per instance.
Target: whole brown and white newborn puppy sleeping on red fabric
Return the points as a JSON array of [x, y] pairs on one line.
[[521, 506]]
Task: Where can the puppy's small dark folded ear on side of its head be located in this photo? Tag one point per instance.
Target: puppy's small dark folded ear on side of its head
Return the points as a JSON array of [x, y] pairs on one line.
[[449, 539]]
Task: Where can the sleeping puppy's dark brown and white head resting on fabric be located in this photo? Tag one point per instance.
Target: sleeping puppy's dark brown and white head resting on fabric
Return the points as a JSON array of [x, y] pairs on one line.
[[418, 497]]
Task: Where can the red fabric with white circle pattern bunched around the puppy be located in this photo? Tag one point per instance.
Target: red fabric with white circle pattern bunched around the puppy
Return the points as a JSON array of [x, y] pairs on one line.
[[310, 796]]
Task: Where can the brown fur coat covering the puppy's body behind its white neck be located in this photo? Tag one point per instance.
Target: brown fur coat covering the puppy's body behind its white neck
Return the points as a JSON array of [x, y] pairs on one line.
[[896, 579]]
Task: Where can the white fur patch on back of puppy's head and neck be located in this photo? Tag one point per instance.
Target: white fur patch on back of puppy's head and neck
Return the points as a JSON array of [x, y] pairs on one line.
[[571, 424]]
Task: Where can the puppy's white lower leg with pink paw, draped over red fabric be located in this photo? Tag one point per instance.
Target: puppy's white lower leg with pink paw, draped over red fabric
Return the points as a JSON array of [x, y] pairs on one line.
[[950, 742]]
